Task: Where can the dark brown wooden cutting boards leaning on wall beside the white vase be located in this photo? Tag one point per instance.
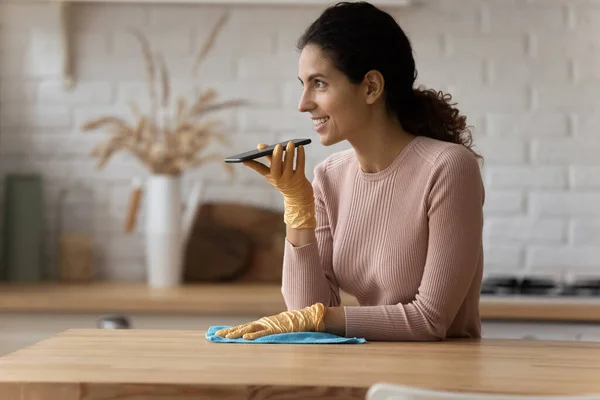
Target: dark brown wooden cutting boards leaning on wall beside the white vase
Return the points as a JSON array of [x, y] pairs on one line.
[[235, 242]]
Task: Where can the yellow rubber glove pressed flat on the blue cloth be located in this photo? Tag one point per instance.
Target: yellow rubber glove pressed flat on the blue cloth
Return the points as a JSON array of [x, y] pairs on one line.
[[309, 319]]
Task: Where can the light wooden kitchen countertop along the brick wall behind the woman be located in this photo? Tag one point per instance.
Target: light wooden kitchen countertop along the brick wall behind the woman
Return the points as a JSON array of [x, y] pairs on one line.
[[244, 299]]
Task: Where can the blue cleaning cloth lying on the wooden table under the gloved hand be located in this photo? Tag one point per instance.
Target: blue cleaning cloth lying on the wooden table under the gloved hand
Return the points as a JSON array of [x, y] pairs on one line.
[[286, 338]]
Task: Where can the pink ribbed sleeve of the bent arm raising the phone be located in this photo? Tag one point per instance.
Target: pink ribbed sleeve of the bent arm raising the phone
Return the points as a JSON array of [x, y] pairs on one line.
[[307, 276]]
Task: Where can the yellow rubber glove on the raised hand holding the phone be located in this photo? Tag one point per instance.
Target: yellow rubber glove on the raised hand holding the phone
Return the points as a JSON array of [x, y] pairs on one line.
[[297, 191]]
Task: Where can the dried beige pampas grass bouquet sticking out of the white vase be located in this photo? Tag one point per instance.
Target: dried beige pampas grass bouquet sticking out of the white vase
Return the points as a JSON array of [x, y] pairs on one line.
[[166, 142]]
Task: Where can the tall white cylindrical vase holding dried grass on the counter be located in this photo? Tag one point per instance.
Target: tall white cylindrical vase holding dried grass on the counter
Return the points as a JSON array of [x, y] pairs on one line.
[[164, 231]]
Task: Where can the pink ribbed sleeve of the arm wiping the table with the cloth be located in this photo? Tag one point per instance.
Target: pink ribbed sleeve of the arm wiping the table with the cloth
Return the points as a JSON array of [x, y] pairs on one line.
[[455, 219]]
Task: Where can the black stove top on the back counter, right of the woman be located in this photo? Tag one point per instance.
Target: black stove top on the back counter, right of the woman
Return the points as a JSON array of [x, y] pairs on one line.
[[540, 286]]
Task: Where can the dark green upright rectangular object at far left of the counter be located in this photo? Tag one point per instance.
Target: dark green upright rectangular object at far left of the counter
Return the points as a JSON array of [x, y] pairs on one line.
[[23, 232]]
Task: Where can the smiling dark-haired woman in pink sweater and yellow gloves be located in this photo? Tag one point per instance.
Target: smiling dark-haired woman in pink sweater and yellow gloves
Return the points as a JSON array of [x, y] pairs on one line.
[[397, 219]]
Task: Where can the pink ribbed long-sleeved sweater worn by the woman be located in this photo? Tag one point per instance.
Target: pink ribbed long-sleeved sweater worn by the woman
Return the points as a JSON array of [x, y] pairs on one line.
[[405, 241]]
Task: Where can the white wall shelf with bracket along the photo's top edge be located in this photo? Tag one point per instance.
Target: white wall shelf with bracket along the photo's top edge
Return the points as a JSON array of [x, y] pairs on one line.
[[65, 20]]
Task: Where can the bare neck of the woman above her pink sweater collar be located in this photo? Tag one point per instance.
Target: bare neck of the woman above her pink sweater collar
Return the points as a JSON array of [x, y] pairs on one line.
[[379, 144]]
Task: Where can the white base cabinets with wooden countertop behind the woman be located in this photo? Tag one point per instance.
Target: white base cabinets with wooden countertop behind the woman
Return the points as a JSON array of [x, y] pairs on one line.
[[30, 313]]
